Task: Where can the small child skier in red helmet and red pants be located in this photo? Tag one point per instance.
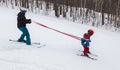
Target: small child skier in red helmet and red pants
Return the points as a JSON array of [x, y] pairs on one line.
[[85, 41]]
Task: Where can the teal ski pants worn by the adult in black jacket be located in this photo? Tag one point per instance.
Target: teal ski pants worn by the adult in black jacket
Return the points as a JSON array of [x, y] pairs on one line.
[[25, 33]]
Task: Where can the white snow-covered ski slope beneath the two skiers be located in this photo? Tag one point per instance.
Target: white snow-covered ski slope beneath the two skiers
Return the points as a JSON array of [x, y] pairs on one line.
[[60, 50]]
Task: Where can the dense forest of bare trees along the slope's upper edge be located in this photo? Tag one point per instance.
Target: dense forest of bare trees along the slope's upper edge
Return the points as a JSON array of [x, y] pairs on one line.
[[100, 12]]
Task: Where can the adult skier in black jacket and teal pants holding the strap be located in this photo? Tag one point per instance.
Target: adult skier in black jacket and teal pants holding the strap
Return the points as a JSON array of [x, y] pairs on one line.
[[21, 24]]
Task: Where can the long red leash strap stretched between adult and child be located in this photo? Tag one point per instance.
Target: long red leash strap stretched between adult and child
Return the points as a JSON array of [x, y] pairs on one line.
[[75, 37]]
